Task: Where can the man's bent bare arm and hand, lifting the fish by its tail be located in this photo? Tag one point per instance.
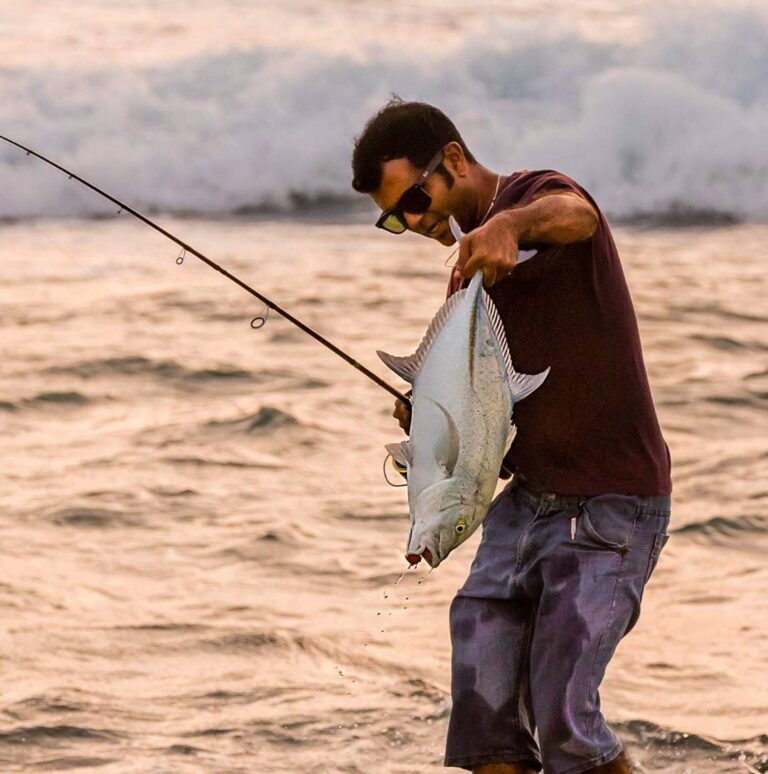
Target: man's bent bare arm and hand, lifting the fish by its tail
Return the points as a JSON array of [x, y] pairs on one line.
[[558, 218]]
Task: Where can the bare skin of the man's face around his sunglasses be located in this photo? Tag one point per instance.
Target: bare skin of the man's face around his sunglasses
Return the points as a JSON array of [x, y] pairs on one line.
[[397, 176]]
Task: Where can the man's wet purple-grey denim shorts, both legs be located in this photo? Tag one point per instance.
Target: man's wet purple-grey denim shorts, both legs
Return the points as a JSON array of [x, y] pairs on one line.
[[556, 583]]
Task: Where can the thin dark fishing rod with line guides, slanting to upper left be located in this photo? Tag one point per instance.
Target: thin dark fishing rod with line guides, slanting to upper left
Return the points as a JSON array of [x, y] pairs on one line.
[[205, 259]]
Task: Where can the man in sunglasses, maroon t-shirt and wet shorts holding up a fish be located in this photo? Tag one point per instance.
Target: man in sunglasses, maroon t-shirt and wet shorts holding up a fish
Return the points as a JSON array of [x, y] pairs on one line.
[[569, 545]]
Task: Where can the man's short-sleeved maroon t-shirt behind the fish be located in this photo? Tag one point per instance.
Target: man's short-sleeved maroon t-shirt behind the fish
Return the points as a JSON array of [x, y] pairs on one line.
[[591, 427]]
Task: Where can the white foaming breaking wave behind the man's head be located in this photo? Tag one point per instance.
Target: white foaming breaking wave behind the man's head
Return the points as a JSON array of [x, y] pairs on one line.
[[673, 125]]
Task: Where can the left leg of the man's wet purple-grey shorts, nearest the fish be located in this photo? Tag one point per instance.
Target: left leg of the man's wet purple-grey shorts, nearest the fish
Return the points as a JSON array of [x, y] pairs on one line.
[[491, 718]]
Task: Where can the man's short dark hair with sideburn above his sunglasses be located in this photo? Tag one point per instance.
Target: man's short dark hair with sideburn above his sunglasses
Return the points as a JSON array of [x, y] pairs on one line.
[[411, 130]]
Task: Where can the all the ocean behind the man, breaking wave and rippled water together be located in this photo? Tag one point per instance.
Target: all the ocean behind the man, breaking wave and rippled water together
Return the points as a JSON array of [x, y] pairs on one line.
[[203, 565]]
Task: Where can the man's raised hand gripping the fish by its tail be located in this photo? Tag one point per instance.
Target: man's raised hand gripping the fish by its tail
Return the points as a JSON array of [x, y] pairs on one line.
[[492, 248]]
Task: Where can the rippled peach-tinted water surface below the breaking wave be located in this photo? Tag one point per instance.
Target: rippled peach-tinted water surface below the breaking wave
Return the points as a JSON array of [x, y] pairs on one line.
[[201, 554]]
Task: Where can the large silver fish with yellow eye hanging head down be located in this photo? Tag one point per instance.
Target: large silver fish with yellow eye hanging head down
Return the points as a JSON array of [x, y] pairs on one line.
[[464, 390]]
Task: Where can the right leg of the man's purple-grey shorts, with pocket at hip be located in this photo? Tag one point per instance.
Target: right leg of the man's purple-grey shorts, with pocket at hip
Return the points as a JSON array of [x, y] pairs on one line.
[[589, 576]]
